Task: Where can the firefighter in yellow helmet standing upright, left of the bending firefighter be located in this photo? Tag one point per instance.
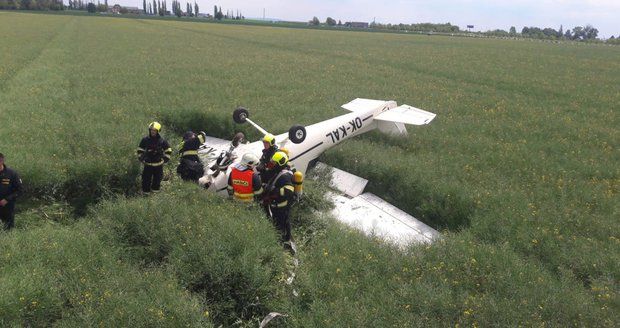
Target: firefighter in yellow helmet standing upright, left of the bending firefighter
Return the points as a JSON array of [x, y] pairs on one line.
[[153, 152]]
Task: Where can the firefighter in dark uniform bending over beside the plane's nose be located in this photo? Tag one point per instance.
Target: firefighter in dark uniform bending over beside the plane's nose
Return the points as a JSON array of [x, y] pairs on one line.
[[190, 168]]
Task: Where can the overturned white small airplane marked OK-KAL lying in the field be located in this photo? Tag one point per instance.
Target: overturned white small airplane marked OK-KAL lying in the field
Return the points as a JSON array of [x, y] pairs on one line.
[[306, 144]]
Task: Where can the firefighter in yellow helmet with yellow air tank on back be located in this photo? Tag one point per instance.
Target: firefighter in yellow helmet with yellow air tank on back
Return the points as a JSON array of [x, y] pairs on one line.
[[279, 196]]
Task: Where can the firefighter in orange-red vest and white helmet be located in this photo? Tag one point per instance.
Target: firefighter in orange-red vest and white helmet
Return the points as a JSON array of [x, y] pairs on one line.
[[243, 182]]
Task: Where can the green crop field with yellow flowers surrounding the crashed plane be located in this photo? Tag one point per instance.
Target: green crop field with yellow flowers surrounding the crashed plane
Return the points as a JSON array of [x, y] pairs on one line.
[[520, 172]]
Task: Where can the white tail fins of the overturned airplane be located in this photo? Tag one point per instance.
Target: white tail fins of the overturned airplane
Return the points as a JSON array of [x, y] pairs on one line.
[[394, 118]]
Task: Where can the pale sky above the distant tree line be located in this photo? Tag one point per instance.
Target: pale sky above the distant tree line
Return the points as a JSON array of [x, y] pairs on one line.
[[483, 14]]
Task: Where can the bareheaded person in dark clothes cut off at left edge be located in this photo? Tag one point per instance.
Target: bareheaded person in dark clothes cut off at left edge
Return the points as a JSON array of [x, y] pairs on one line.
[[10, 186]]
